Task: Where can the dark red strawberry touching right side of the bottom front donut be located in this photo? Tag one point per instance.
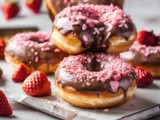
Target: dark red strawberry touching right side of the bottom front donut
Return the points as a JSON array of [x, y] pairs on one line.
[[145, 79]]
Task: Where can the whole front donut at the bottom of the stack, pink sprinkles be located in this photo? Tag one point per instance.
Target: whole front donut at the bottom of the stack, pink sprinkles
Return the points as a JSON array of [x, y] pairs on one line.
[[95, 80]]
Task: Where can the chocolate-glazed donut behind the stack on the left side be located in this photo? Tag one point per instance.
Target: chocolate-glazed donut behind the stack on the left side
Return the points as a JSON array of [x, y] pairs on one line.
[[34, 49]]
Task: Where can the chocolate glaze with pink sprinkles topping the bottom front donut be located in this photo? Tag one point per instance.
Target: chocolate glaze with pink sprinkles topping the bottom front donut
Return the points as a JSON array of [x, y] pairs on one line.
[[65, 77]]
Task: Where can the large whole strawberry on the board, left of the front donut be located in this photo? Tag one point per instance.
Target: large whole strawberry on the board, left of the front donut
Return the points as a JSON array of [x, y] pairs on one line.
[[37, 84]]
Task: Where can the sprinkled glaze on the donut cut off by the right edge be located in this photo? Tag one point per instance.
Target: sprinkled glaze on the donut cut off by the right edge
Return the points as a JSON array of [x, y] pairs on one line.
[[139, 53]]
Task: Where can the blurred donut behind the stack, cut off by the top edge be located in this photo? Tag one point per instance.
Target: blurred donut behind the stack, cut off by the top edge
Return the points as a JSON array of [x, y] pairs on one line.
[[54, 6]]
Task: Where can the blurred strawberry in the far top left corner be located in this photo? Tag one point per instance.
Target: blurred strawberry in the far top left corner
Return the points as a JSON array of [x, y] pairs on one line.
[[10, 9]]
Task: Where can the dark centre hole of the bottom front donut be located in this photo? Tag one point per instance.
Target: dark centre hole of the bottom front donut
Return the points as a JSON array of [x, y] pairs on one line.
[[94, 65]]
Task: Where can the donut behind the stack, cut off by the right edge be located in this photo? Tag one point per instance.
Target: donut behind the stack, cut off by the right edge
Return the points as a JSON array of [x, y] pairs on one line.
[[145, 56]]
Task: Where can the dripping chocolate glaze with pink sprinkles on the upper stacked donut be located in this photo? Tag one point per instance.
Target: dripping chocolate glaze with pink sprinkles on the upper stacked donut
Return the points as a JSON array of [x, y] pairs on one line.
[[93, 26]]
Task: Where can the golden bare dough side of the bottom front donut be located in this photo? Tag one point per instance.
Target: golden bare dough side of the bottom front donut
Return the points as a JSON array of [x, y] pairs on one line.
[[95, 100]]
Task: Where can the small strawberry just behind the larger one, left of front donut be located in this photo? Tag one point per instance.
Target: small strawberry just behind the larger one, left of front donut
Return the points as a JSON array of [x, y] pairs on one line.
[[20, 73]]
